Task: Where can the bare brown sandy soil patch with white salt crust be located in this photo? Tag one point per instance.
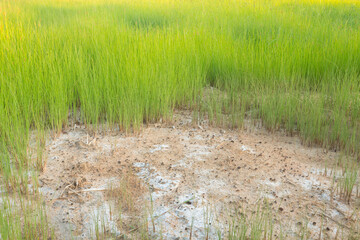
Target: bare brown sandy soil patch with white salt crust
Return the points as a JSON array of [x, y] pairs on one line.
[[196, 175]]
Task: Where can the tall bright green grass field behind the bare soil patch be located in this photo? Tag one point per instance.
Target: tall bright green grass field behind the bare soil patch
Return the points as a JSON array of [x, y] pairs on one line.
[[293, 64]]
